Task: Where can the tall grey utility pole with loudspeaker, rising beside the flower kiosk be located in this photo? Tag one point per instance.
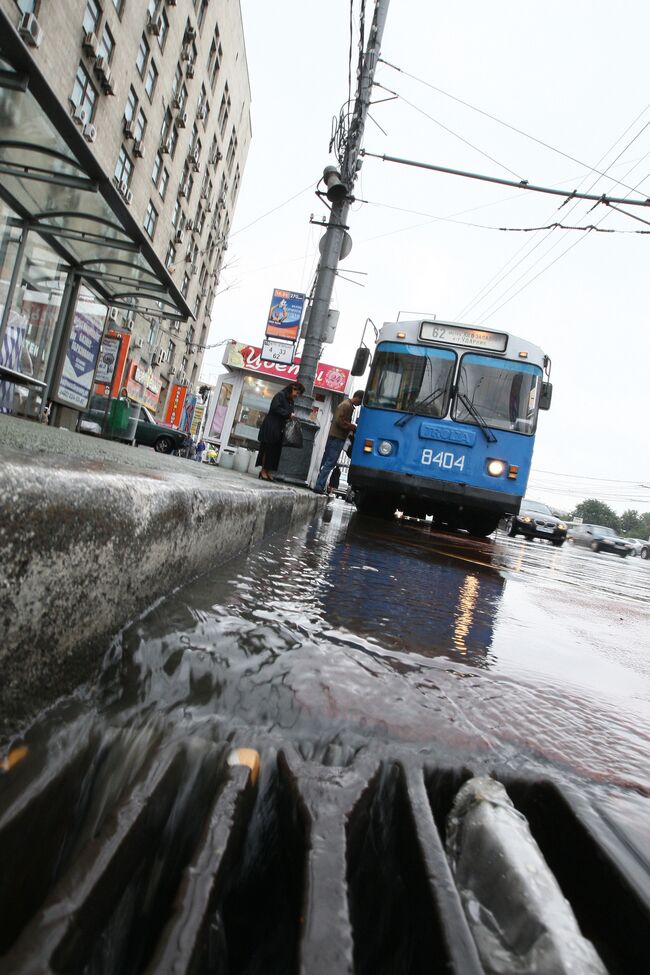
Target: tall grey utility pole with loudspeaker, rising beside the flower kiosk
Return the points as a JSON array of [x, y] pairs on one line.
[[295, 464]]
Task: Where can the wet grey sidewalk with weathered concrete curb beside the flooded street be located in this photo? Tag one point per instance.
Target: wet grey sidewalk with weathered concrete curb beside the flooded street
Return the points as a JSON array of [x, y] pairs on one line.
[[92, 533]]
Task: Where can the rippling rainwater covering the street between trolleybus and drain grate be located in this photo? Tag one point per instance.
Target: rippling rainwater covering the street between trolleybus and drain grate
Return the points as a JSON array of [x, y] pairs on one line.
[[353, 630]]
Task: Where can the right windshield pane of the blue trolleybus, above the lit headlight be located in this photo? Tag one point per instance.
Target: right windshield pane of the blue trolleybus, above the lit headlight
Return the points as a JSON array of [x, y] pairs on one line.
[[504, 393]]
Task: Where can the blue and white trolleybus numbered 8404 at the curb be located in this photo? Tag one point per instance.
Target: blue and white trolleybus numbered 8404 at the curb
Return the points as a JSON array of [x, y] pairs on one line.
[[448, 422]]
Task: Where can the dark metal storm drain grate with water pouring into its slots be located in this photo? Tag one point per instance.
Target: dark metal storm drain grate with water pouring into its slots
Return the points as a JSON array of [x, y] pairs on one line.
[[191, 865]]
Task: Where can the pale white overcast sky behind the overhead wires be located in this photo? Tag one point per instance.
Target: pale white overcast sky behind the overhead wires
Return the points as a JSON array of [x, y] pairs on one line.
[[574, 76]]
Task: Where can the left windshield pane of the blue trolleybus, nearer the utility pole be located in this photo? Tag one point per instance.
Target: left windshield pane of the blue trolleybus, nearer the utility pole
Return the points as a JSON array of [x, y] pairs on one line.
[[411, 378]]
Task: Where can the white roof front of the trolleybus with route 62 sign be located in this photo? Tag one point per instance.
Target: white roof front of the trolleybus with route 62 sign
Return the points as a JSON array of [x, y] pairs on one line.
[[457, 335]]
